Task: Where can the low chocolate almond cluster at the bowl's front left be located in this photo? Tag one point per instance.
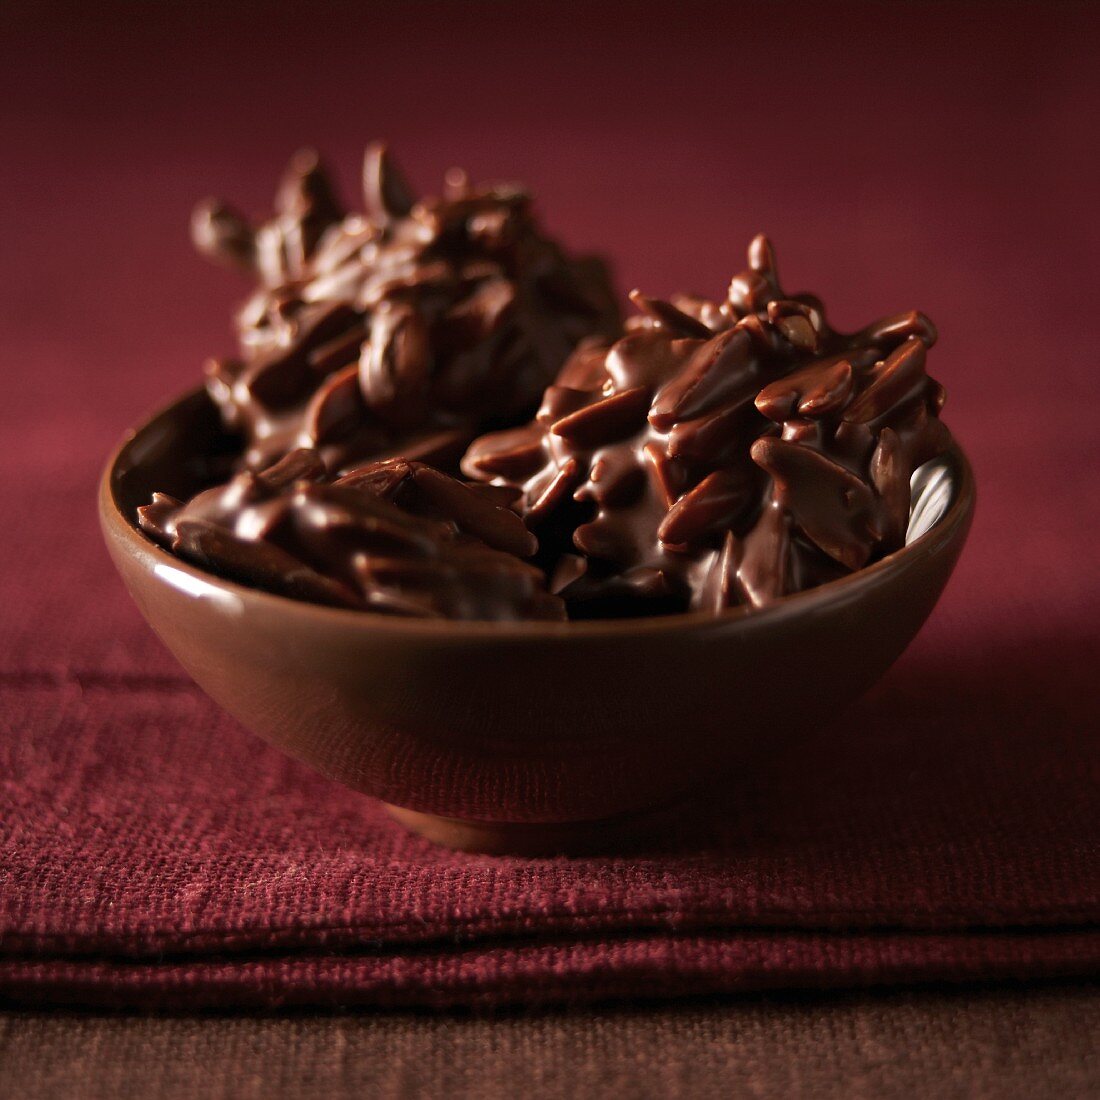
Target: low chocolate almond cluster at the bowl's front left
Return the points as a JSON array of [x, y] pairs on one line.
[[395, 537]]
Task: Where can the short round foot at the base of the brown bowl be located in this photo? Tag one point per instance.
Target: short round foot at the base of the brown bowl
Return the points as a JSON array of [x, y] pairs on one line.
[[609, 837]]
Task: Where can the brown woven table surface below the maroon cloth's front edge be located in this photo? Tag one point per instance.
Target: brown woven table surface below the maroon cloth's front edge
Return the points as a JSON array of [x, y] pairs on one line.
[[998, 1044]]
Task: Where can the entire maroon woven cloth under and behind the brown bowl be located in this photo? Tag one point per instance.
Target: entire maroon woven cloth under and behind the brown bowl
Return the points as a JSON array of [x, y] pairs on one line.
[[948, 828]]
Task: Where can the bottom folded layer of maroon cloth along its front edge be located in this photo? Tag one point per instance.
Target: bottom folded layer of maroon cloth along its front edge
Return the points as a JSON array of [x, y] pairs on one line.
[[535, 975]]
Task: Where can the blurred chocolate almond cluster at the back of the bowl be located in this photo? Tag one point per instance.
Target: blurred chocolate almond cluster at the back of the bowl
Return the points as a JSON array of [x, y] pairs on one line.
[[400, 333]]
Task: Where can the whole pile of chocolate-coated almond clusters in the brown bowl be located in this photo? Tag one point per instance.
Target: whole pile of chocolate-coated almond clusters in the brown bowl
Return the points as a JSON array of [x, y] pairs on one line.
[[442, 414]]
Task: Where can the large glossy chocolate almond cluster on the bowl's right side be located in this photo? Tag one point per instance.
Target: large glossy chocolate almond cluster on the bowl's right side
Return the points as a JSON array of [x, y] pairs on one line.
[[723, 454]]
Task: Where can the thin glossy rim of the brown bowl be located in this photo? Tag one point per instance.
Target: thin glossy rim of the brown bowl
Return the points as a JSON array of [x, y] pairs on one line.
[[117, 524]]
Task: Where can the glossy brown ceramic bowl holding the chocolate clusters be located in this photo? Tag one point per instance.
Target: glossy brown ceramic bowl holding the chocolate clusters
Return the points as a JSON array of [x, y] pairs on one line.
[[530, 736]]
